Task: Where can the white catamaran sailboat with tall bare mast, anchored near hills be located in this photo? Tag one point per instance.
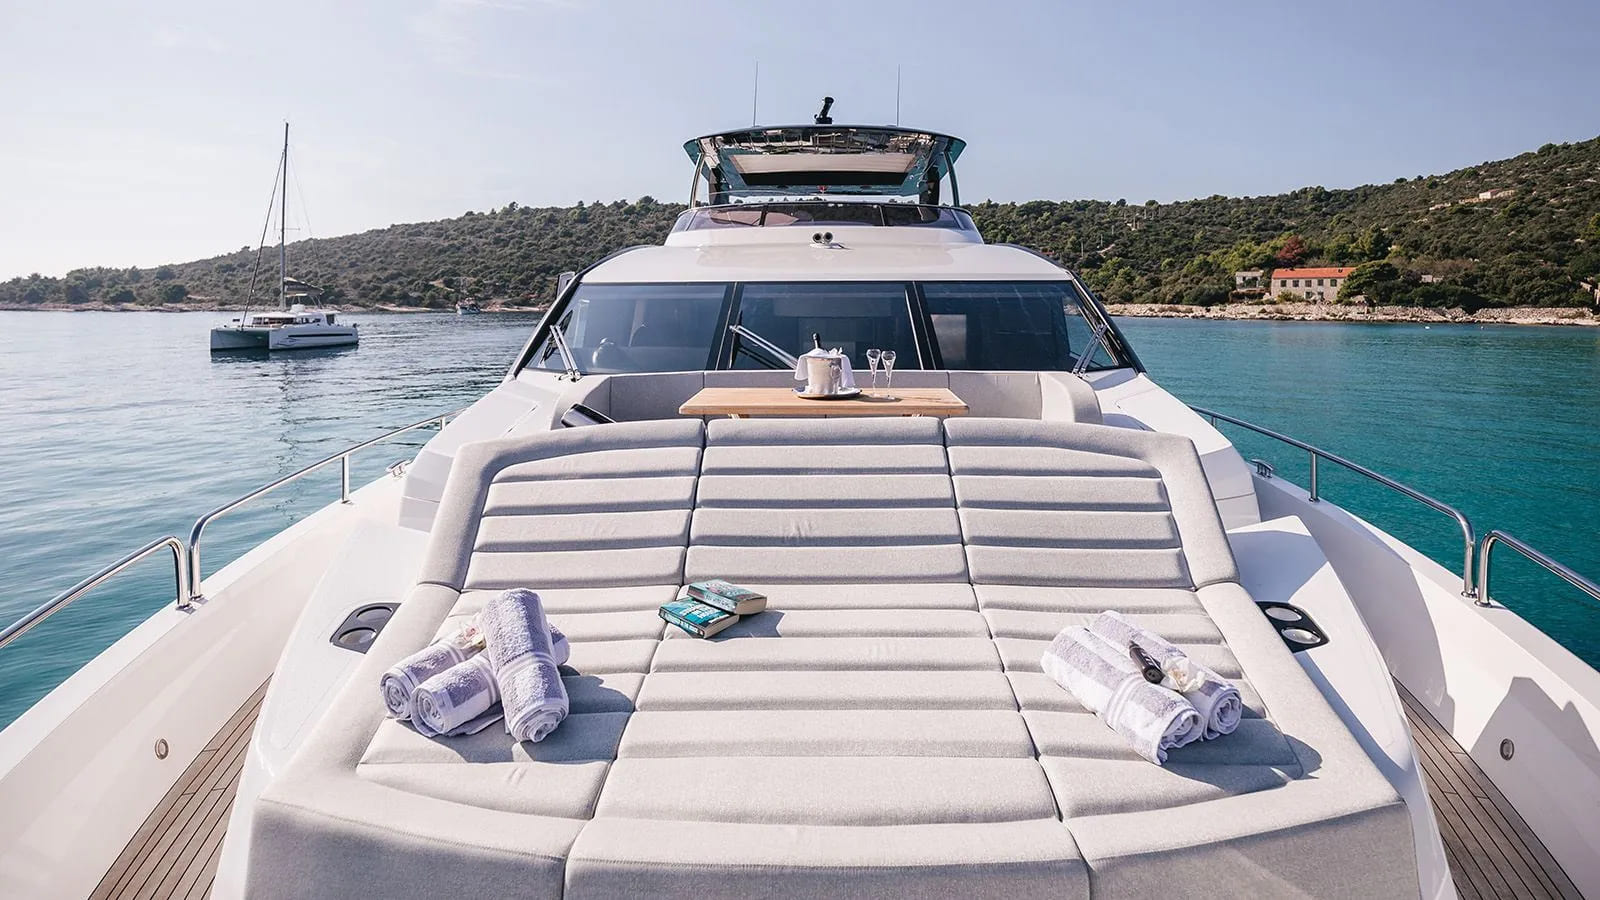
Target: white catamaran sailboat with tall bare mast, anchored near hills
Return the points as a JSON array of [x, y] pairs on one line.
[[292, 326]]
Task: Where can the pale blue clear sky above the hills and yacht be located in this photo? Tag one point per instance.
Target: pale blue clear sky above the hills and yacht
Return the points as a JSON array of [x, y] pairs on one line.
[[146, 134]]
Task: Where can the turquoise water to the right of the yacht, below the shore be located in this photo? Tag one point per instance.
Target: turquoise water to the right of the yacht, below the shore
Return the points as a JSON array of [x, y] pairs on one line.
[[1500, 422]]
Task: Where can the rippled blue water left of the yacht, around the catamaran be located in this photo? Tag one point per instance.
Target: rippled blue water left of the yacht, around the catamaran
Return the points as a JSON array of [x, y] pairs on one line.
[[121, 428]]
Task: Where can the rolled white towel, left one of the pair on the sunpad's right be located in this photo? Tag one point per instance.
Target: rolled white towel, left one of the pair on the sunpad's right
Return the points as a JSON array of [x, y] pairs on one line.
[[1151, 718]]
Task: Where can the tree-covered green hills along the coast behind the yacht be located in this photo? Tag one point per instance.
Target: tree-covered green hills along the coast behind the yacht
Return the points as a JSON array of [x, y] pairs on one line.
[[1534, 244]]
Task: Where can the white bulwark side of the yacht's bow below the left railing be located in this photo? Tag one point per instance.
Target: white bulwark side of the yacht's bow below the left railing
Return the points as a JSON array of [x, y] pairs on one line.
[[79, 771]]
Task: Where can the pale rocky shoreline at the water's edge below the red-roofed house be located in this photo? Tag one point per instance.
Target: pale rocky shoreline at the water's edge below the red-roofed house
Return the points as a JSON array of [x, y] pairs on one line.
[[1338, 313]]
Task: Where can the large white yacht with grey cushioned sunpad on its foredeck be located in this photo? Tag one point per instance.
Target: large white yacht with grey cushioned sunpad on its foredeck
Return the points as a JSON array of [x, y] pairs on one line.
[[884, 729]]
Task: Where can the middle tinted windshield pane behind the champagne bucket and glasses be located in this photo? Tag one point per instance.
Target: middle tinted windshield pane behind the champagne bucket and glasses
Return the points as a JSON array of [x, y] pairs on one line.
[[850, 316]]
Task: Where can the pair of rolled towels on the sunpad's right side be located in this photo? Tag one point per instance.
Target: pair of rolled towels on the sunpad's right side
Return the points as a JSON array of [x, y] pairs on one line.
[[1098, 667]]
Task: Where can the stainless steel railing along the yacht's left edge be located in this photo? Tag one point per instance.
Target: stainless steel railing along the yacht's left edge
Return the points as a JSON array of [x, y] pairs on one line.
[[186, 558]]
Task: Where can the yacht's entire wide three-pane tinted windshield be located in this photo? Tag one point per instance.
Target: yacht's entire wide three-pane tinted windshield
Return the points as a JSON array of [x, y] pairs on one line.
[[689, 327]]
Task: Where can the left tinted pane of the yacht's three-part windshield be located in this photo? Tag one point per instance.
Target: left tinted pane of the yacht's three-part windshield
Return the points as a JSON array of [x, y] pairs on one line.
[[639, 329]]
